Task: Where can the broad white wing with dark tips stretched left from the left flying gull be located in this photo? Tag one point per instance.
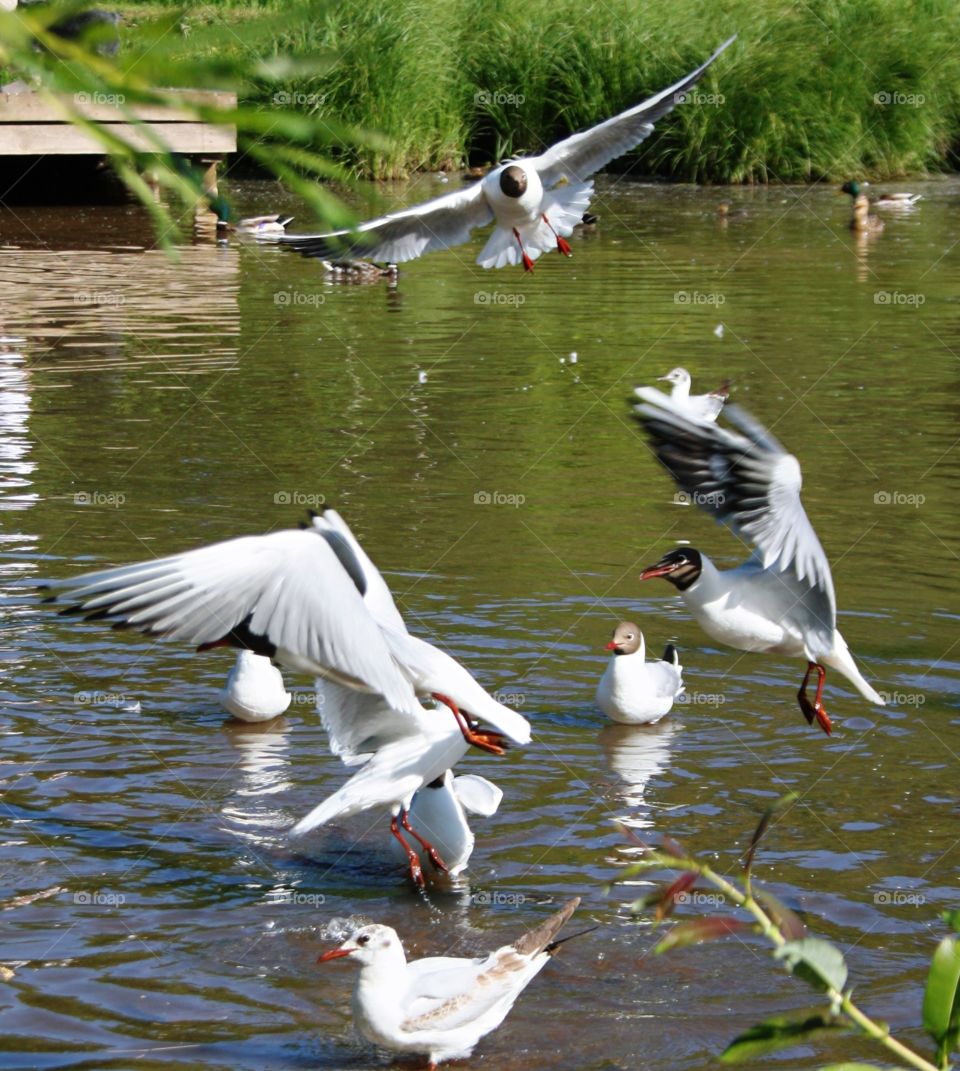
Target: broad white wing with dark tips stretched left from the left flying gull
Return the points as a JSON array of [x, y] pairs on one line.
[[288, 595]]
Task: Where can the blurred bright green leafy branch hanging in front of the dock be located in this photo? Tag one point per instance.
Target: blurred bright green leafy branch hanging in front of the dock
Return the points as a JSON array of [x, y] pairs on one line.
[[152, 71]]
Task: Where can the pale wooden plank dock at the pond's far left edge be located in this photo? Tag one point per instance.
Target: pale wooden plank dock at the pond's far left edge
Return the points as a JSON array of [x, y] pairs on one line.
[[33, 126]]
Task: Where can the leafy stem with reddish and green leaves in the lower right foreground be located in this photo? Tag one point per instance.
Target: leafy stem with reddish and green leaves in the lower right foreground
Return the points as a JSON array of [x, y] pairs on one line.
[[817, 961]]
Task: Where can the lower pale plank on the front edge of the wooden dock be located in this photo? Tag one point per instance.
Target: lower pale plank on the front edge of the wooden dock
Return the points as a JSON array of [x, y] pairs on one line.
[[39, 140]]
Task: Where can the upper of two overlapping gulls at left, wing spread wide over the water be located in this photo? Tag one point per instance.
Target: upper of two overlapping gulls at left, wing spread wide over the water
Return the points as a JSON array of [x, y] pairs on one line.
[[298, 598]]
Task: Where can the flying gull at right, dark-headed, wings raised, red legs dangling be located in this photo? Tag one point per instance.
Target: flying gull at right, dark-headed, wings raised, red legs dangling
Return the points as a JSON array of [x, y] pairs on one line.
[[782, 599]]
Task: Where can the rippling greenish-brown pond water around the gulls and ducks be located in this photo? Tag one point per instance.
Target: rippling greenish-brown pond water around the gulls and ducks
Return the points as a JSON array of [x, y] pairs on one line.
[[155, 914]]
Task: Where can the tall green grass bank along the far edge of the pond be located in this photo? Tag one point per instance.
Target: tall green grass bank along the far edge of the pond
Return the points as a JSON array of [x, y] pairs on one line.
[[826, 89]]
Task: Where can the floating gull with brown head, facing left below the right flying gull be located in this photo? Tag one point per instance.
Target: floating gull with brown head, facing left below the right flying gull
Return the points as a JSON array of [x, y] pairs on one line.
[[634, 691]]
